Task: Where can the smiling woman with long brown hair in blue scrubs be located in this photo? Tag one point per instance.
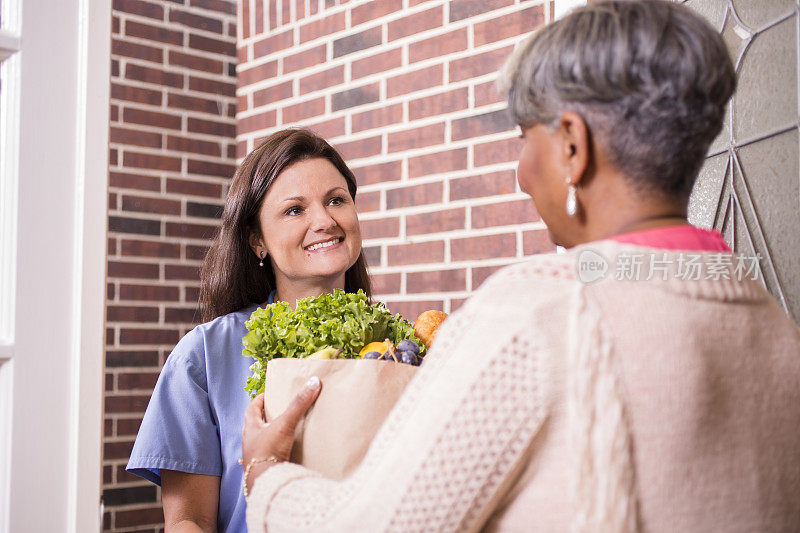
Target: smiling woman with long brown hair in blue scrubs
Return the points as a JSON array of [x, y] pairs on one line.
[[289, 230]]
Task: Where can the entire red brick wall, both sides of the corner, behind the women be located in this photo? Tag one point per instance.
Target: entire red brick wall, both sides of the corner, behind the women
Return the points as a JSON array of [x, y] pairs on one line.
[[404, 88]]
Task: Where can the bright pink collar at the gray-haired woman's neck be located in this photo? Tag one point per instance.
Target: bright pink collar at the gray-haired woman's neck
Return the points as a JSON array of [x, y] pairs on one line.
[[682, 237]]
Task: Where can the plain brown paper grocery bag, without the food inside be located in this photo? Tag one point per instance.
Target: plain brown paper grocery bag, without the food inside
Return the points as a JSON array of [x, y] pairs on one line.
[[356, 397]]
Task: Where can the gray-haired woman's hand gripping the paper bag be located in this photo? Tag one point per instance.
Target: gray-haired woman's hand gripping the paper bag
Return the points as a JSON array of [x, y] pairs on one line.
[[270, 442]]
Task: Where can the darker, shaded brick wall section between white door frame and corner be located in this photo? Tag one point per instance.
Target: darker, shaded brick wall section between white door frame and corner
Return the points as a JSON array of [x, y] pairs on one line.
[[172, 138]]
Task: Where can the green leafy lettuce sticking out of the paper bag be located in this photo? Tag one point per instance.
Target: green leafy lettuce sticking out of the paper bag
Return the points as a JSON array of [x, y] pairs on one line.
[[341, 320]]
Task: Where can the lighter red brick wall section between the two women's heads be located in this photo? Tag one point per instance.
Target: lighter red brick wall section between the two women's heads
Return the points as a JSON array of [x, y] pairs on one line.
[[406, 90]]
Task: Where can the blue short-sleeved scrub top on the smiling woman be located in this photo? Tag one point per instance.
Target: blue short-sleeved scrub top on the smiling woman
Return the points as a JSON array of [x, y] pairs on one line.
[[193, 422]]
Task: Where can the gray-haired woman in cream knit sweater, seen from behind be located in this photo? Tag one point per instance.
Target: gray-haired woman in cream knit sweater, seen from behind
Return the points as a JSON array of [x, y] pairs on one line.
[[640, 381]]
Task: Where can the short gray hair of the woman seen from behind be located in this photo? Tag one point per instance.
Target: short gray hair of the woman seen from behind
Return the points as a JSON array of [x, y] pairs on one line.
[[650, 78]]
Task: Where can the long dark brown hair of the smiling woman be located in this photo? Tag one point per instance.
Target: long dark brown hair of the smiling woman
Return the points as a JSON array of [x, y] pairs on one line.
[[230, 277]]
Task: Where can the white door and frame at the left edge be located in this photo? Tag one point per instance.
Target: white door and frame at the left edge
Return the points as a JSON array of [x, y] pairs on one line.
[[53, 161]]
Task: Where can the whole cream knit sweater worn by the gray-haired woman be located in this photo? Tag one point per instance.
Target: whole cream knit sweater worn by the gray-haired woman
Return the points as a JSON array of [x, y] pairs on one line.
[[549, 404]]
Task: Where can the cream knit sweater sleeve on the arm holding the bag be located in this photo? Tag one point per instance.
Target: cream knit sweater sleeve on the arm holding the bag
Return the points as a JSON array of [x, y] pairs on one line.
[[452, 445]]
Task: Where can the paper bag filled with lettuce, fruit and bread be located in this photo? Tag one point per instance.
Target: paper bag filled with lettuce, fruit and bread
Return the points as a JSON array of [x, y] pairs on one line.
[[357, 349]]
